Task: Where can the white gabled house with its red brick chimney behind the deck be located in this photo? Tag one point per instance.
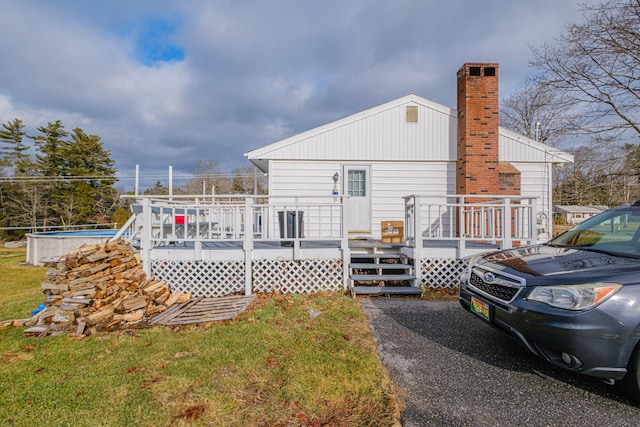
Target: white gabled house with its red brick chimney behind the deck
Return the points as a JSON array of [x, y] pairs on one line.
[[413, 146]]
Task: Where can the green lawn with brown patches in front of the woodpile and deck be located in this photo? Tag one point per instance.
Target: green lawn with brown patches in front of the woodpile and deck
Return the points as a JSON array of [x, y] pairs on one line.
[[273, 366]]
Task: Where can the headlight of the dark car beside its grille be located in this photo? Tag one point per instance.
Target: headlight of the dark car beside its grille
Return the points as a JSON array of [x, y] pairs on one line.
[[574, 297]]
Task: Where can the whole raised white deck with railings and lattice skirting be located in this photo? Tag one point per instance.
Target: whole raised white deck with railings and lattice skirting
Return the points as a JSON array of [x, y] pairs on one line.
[[226, 260]]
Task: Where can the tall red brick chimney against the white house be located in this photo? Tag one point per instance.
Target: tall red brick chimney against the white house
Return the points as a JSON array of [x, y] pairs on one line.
[[478, 168]]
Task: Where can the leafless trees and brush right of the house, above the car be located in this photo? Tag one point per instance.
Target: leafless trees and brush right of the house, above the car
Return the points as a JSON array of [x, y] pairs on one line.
[[592, 70]]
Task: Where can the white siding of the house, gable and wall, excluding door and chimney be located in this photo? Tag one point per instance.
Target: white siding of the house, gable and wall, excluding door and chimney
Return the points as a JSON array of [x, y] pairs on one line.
[[404, 158]]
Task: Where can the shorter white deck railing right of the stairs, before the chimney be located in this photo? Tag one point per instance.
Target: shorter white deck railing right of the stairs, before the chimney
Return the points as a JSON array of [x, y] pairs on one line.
[[500, 220]]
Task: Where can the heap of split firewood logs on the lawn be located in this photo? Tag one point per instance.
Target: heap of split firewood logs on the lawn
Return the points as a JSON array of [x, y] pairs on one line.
[[99, 287]]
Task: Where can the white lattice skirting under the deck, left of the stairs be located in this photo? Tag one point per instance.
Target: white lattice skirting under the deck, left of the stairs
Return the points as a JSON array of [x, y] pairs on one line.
[[221, 278]]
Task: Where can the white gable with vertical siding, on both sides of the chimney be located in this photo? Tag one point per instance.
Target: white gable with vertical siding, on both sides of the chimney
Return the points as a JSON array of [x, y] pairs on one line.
[[369, 132]]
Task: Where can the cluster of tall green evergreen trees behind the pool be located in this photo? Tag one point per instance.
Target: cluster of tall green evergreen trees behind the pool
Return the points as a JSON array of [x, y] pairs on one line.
[[69, 182]]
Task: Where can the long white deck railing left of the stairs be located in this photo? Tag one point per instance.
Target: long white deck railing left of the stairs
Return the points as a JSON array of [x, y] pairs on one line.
[[243, 221]]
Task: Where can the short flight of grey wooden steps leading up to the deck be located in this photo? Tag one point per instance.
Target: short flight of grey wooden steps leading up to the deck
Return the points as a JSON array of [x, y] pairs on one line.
[[382, 271]]
